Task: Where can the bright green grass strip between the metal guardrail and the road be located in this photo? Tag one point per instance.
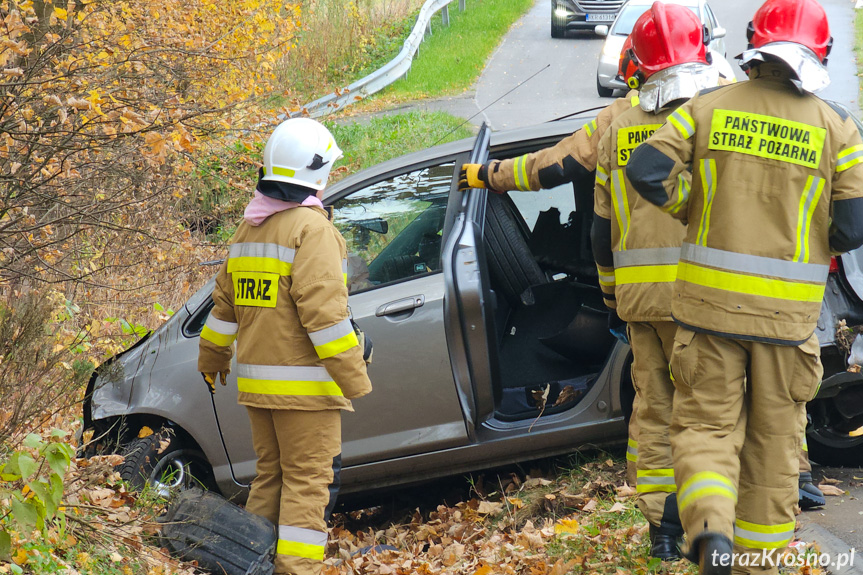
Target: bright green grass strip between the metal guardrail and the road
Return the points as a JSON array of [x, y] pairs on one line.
[[451, 59]]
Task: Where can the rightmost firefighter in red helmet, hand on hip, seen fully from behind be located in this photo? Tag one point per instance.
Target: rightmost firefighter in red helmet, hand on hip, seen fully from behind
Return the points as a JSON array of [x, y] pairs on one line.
[[776, 189]]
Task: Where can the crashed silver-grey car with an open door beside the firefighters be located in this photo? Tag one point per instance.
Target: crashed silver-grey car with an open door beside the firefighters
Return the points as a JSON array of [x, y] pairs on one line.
[[490, 334]]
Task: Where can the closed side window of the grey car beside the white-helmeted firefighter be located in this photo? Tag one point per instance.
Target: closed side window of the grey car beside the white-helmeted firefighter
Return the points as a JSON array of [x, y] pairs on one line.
[[394, 228]]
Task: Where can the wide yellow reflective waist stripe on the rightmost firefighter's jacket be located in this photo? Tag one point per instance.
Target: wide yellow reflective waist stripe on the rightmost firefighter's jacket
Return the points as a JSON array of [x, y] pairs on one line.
[[746, 284]]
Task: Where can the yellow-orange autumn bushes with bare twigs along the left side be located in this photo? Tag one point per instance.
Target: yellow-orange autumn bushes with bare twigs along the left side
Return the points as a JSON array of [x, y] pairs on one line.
[[106, 110]]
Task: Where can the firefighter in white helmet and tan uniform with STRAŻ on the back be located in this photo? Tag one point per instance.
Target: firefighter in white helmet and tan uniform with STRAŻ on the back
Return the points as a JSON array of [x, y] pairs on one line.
[[281, 294]]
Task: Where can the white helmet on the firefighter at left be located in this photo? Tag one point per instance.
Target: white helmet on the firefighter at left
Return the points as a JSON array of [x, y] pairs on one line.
[[300, 151]]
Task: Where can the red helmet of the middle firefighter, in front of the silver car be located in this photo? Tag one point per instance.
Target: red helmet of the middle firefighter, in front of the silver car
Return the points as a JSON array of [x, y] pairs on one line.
[[667, 35]]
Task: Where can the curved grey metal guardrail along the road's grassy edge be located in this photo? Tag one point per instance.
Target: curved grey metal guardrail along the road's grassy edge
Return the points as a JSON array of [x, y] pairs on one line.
[[392, 71]]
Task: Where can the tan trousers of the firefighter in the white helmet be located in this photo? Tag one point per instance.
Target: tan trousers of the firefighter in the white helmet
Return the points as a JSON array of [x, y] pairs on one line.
[[298, 453]]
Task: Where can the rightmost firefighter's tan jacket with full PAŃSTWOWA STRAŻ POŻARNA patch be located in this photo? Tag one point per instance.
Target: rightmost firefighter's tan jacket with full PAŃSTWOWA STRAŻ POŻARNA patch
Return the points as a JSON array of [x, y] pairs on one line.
[[777, 184]]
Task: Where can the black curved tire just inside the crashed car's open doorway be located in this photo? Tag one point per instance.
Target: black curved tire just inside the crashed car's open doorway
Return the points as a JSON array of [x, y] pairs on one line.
[[510, 260]]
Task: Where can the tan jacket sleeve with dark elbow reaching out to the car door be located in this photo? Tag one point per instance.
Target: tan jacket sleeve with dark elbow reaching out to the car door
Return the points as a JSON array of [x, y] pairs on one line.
[[562, 162]]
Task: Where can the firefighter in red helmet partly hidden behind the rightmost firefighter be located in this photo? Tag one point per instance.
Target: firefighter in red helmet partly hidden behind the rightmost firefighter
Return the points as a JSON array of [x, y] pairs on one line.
[[636, 246]]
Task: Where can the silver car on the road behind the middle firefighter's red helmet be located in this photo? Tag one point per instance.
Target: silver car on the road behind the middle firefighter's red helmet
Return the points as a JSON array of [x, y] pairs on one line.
[[607, 79]]
